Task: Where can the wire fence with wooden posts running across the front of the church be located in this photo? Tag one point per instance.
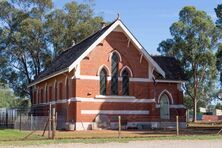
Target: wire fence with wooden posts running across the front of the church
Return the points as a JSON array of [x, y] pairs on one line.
[[49, 124]]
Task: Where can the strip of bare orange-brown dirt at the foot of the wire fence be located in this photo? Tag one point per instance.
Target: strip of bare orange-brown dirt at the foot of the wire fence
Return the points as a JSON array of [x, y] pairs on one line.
[[133, 133]]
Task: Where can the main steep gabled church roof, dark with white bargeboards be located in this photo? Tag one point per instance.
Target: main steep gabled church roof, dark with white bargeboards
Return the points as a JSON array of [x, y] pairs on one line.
[[68, 59]]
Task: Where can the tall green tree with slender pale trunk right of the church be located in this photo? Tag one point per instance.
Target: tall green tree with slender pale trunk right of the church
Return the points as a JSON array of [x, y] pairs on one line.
[[194, 36]]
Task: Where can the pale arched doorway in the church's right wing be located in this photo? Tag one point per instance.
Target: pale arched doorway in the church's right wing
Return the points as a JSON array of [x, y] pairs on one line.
[[164, 107]]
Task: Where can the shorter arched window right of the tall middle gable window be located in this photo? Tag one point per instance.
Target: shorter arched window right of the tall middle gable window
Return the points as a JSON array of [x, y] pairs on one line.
[[125, 82]]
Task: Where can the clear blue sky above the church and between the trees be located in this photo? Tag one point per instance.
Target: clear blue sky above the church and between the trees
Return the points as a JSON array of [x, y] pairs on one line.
[[148, 20]]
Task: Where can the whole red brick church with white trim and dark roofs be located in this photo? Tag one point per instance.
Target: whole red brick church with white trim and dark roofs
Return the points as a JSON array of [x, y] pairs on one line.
[[111, 74]]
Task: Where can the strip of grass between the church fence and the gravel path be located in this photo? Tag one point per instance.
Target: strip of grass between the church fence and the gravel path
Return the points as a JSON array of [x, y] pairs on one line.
[[16, 138]]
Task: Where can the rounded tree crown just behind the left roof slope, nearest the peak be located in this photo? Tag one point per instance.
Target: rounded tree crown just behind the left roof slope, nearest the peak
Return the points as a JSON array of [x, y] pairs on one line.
[[70, 25]]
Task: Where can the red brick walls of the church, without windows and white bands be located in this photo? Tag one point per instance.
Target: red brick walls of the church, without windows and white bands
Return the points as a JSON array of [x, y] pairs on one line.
[[68, 87]]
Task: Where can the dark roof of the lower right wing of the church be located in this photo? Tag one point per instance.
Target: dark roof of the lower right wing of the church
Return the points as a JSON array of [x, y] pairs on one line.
[[171, 67]]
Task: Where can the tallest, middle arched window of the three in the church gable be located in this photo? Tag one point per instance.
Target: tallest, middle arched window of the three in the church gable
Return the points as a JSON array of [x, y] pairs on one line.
[[114, 79]]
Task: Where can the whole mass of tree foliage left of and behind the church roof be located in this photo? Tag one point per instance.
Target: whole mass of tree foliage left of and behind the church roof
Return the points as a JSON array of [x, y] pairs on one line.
[[33, 33]]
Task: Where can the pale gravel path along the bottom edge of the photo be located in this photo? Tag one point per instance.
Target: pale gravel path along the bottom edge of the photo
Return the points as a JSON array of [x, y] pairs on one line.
[[142, 144]]
